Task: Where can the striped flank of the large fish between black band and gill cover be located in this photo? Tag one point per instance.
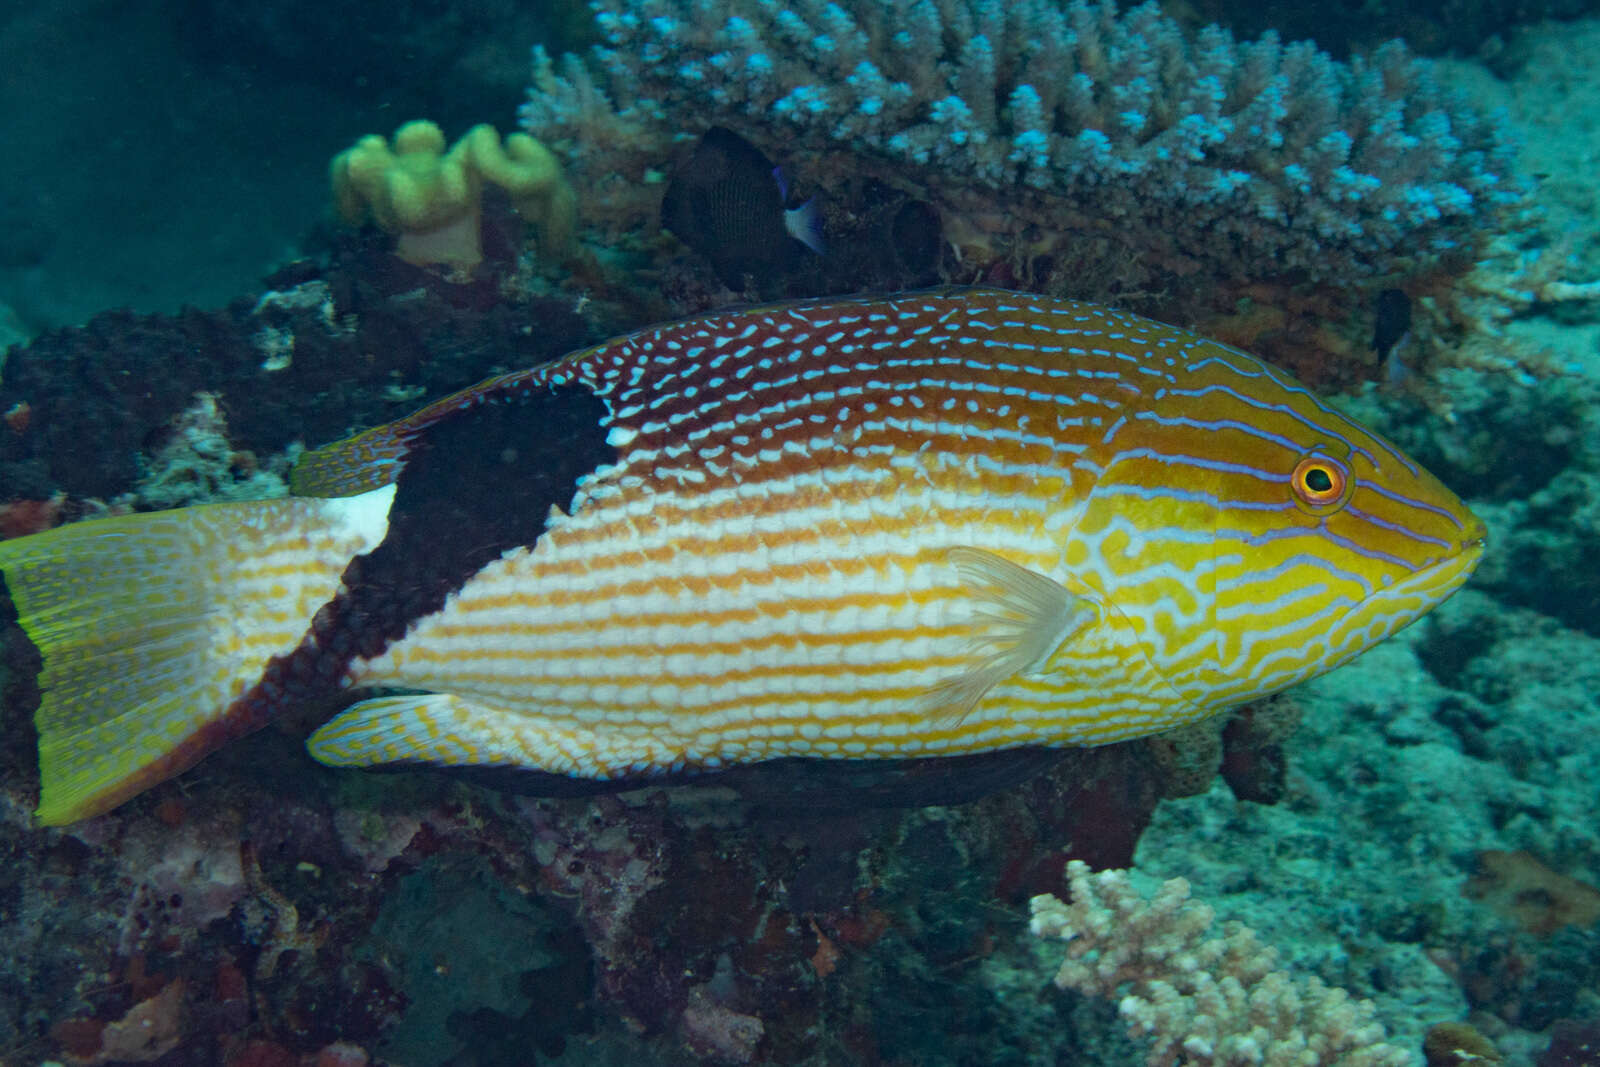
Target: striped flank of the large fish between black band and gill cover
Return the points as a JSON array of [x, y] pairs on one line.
[[764, 569]]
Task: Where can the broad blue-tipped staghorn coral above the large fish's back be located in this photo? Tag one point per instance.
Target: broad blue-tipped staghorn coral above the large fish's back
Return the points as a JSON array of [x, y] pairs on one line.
[[1121, 145]]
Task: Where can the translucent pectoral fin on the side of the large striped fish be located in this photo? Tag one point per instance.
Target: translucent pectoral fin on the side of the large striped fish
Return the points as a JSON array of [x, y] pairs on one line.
[[1020, 621]]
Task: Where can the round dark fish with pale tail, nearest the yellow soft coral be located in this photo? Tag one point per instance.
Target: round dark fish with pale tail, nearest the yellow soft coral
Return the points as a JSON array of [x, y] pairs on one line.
[[730, 204]]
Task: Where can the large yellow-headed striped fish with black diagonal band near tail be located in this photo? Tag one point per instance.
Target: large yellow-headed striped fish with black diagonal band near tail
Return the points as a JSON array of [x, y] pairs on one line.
[[921, 526]]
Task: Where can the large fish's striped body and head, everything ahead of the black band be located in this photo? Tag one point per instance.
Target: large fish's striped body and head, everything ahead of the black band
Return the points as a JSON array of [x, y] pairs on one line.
[[794, 549]]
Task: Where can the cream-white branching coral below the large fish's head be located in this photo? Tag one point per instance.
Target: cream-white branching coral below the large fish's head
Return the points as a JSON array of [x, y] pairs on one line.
[[1199, 997]]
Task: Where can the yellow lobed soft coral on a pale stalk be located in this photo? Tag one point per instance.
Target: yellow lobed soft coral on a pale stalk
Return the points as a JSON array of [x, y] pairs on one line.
[[431, 199]]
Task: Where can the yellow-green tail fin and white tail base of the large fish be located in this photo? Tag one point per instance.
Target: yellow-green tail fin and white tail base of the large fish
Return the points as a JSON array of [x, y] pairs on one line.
[[153, 625]]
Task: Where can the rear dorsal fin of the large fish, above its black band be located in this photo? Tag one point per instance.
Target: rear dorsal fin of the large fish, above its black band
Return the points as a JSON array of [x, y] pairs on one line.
[[375, 458]]
